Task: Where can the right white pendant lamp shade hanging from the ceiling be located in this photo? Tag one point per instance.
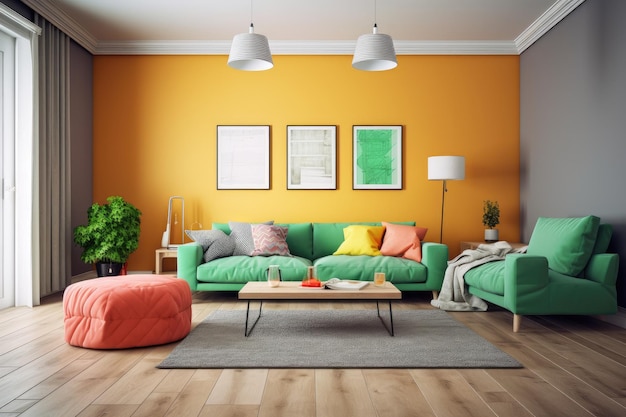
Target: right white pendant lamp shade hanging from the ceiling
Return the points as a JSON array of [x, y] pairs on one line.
[[374, 52]]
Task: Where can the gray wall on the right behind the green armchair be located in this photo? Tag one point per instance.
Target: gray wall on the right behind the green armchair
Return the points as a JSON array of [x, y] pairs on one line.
[[573, 123]]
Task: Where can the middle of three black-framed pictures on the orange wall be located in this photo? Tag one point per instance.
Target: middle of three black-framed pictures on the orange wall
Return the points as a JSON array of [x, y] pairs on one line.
[[312, 157]]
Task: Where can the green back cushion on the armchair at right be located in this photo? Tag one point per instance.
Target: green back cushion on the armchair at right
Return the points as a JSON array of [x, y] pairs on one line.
[[567, 243]]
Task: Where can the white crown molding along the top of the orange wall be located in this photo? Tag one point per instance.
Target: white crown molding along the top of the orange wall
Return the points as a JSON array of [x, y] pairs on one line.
[[304, 48]]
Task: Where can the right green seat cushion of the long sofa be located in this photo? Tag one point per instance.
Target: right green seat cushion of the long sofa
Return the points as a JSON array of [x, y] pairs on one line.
[[363, 267]]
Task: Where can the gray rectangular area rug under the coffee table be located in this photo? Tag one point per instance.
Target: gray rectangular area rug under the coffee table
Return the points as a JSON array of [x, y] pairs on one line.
[[335, 339]]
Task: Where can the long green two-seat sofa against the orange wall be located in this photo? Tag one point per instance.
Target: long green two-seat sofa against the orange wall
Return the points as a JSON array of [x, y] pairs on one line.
[[312, 244]]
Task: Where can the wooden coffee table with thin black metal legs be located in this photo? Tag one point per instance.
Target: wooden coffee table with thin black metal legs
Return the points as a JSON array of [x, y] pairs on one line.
[[261, 291]]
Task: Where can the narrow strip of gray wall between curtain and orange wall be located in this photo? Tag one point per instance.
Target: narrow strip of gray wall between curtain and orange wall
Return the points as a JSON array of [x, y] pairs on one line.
[[81, 135]]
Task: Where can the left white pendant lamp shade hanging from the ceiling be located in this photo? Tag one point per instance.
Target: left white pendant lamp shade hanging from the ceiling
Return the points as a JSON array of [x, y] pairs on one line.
[[250, 52]]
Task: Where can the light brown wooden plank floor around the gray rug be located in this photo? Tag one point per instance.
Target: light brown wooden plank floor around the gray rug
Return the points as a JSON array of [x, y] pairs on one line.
[[574, 366]]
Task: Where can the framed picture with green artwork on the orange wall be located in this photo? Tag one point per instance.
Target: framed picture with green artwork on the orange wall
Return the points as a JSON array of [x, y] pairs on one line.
[[377, 158]]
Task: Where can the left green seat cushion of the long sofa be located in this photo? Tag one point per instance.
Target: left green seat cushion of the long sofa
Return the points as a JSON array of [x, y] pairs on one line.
[[241, 269]]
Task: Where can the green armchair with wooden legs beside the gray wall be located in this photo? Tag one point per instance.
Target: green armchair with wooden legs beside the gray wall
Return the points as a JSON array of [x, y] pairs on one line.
[[565, 270]]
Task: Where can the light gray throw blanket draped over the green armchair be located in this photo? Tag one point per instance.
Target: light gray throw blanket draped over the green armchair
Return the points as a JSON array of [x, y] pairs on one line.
[[454, 295]]
